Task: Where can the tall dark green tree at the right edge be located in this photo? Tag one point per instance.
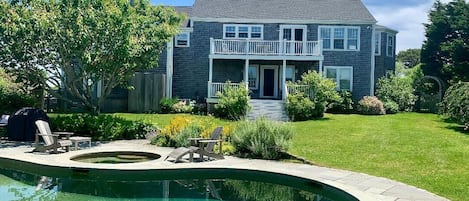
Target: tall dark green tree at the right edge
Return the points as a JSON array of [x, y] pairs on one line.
[[444, 52]]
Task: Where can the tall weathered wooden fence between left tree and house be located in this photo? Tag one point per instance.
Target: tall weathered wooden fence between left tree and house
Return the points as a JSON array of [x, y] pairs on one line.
[[149, 89]]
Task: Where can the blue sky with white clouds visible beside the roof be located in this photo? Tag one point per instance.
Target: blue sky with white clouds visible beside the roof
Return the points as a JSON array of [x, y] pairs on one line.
[[405, 16]]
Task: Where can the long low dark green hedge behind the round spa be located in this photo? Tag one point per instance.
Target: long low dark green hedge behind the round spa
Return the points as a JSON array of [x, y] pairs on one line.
[[101, 127]]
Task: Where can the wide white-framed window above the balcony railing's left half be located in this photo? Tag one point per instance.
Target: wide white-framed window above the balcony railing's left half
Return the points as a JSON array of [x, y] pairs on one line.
[[242, 31]]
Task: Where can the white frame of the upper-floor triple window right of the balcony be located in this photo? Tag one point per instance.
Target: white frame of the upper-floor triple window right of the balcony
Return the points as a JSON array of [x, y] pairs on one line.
[[346, 37]]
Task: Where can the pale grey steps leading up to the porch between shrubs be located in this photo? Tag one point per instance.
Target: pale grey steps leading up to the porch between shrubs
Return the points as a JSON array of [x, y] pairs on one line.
[[271, 109]]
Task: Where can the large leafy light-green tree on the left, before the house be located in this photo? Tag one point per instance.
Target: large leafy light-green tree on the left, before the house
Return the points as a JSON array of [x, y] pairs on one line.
[[86, 47]]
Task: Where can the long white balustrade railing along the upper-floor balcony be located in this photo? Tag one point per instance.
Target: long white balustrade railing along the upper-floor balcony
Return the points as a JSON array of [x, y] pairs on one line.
[[265, 48]]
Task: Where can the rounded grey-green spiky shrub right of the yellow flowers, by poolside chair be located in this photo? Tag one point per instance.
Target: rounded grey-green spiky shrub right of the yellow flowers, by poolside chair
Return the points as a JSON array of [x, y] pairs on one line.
[[262, 138]]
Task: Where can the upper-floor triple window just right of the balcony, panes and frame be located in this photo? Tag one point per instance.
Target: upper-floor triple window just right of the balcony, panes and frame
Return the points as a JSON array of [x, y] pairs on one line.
[[340, 37]]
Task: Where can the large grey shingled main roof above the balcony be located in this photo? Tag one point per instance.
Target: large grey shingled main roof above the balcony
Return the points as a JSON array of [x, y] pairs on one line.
[[284, 10]]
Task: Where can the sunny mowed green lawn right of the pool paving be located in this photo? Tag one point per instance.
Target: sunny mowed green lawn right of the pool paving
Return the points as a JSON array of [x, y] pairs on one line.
[[417, 149]]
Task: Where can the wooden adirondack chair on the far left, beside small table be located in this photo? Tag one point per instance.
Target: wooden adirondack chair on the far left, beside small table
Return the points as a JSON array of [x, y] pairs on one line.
[[51, 140]]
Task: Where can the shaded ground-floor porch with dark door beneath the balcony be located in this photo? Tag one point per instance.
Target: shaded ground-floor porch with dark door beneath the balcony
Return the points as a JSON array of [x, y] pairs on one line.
[[265, 79]]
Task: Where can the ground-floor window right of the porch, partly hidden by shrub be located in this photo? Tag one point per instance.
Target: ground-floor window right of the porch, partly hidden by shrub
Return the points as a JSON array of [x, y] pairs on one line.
[[341, 75]]
